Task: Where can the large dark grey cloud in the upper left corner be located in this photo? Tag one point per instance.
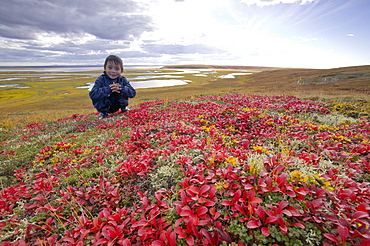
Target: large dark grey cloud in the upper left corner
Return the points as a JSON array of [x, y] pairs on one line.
[[27, 19]]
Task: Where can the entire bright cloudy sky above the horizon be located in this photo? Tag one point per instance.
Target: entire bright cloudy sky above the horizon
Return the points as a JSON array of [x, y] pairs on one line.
[[270, 33]]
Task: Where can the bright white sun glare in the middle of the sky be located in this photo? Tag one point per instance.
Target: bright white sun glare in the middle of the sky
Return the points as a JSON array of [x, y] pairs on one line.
[[240, 34]]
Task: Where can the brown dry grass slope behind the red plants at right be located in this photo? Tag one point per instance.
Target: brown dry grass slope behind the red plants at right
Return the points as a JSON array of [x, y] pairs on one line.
[[281, 82]]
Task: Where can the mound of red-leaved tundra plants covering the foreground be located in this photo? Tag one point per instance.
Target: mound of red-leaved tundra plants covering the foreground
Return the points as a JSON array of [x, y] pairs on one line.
[[208, 170]]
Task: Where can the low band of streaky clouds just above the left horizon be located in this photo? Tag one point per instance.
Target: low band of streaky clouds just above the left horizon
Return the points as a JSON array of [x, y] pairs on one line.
[[67, 50]]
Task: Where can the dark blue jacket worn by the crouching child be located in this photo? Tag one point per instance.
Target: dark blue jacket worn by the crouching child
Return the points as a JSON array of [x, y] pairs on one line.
[[104, 100]]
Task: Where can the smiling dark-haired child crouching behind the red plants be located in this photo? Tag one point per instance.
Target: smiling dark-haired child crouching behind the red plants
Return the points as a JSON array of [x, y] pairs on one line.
[[111, 91]]
